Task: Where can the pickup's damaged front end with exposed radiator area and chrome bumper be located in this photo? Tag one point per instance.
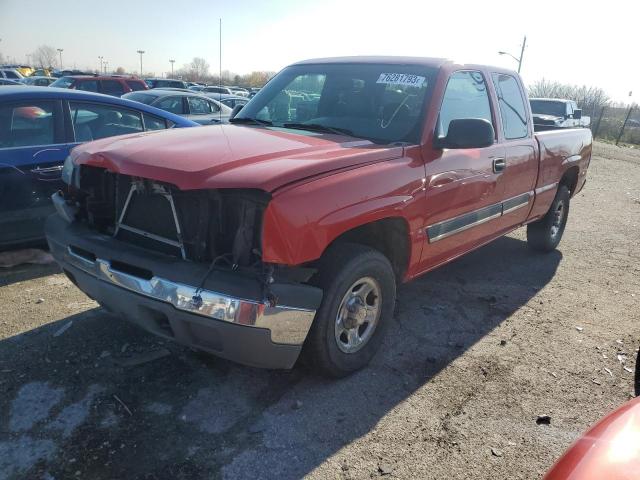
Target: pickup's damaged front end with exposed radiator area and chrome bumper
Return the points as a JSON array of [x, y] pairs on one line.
[[181, 257]]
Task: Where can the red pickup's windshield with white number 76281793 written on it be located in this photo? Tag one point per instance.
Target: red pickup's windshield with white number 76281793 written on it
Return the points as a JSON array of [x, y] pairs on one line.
[[382, 103]]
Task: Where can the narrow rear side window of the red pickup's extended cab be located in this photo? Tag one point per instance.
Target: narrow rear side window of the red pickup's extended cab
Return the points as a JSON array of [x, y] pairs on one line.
[[511, 104]]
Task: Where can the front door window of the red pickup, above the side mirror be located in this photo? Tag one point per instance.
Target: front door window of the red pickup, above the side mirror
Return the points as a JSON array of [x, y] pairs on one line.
[[465, 97]]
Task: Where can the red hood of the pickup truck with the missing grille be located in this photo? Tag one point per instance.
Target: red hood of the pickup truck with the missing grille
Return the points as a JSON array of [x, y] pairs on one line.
[[230, 156]]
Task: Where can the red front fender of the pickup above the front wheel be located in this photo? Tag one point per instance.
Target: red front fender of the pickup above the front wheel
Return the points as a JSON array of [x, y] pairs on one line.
[[300, 223]]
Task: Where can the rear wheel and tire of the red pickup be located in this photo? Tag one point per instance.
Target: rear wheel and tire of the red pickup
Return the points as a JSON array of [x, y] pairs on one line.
[[545, 234]]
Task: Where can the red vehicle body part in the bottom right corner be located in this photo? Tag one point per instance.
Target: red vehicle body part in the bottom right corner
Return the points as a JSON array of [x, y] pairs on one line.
[[610, 450]]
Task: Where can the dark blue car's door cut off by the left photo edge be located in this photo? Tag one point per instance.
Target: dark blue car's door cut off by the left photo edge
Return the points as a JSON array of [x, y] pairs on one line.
[[32, 151]]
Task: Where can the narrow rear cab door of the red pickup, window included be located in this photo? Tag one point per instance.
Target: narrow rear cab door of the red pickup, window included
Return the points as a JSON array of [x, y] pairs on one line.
[[521, 170]]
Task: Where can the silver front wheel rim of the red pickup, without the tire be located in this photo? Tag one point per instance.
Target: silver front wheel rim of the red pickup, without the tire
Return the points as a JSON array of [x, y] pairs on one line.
[[358, 315]]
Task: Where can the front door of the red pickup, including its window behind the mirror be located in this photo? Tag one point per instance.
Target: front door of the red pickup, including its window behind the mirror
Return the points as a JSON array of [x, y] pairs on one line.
[[463, 188]]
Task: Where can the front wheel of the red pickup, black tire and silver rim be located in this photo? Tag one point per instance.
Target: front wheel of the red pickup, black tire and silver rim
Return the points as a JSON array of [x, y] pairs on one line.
[[359, 296]]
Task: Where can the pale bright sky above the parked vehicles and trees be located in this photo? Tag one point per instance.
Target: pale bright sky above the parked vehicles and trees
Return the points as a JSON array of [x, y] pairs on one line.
[[568, 41]]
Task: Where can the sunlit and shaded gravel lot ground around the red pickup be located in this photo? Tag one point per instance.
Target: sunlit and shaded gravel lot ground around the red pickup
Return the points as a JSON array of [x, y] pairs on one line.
[[479, 349]]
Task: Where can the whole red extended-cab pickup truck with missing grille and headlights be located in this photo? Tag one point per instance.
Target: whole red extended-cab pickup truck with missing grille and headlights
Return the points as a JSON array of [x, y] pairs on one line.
[[288, 230]]
